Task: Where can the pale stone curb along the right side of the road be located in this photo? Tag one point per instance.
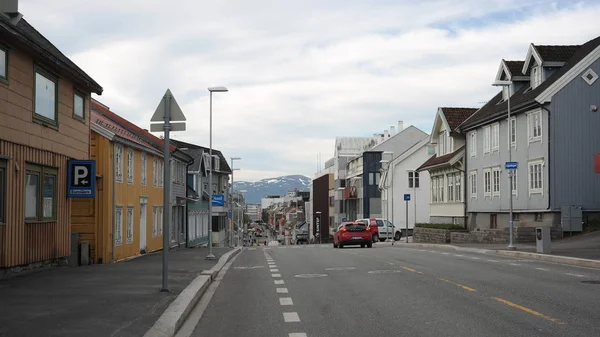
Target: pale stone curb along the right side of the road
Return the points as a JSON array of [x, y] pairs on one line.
[[574, 261]]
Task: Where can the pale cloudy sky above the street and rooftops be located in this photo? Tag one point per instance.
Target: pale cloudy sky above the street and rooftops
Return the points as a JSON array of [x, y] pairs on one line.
[[300, 73]]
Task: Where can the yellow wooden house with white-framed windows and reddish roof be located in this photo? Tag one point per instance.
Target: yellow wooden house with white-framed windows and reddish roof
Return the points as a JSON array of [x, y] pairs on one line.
[[126, 216]]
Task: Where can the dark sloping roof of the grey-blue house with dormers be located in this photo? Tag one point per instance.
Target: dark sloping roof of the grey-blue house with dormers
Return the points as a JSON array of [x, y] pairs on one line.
[[525, 97]]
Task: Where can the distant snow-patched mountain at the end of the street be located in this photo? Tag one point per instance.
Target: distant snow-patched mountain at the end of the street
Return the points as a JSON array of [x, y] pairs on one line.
[[272, 186]]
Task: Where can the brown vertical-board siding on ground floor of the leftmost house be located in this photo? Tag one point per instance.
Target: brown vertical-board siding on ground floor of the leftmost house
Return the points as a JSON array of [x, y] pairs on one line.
[[24, 243]]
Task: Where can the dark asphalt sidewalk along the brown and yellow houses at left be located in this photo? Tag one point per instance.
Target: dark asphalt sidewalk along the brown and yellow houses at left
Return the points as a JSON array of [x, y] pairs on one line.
[[119, 299]]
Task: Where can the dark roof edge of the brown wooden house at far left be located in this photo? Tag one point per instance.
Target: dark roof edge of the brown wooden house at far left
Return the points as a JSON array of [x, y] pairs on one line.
[[33, 40]]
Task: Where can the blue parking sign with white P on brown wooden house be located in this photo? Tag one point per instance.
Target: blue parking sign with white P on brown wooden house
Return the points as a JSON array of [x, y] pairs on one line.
[[81, 178]]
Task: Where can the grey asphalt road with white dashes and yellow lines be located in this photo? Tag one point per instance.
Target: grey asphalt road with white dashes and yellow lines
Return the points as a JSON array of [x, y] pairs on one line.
[[316, 290]]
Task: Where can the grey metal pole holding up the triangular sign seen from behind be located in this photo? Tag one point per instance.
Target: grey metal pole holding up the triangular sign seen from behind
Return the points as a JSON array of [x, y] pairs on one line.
[[167, 194]]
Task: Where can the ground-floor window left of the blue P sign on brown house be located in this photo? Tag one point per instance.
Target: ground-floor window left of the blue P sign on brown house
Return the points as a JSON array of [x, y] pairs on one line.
[[40, 193]]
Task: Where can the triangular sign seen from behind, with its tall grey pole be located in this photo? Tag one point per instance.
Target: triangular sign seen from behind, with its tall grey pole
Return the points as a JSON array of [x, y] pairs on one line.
[[168, 111]]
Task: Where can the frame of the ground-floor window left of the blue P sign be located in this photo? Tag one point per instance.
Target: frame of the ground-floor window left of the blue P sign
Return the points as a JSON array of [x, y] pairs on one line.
[[42, 171]]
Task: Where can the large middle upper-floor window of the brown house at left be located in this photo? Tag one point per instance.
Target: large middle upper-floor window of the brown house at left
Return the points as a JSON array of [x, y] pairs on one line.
[[45, 98]]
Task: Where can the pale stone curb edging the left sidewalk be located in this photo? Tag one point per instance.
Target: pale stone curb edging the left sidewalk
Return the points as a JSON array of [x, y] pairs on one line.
[[177, 312]]
